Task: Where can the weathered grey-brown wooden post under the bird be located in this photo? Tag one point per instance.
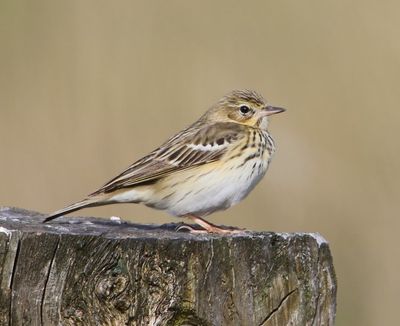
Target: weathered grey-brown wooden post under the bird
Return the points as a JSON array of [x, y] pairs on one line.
[[102, 272]]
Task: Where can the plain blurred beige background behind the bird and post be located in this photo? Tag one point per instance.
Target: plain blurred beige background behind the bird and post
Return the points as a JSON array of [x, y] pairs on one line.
[[87, 87]]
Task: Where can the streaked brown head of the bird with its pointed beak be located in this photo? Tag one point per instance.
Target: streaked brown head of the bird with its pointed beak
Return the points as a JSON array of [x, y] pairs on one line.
[[244, 107]]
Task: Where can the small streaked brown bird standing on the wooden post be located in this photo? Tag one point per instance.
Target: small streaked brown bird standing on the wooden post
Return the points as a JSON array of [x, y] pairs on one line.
[[209, 166]]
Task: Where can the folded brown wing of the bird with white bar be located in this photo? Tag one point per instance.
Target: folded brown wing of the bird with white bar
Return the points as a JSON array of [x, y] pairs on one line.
[[189, 148]]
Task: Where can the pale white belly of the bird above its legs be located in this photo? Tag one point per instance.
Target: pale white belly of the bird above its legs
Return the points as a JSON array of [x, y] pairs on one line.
[[203, 193]]
